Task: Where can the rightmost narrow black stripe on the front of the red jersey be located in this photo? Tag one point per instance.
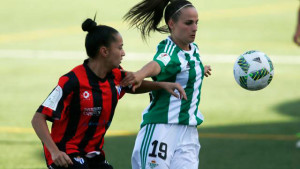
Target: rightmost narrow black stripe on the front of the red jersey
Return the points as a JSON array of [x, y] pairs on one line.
[[114, 100]]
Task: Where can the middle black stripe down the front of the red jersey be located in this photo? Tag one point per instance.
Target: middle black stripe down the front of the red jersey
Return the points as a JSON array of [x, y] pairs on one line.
[[97, 102]]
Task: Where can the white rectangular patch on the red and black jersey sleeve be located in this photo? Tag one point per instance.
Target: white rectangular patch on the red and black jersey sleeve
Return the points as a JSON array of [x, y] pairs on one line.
[[53, 99]]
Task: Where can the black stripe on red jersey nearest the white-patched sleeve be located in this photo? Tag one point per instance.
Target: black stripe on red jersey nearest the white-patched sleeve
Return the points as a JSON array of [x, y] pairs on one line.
[[74, 116]]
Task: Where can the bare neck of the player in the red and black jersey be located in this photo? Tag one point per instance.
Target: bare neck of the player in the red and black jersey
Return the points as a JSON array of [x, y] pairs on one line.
[[99, 67]]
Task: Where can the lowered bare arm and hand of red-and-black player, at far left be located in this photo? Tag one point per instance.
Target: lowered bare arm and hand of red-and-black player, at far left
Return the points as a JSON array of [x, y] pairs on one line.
[[41, 128]]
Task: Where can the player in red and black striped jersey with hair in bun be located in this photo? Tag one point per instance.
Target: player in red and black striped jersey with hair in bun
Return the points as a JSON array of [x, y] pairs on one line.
[[82, 105]]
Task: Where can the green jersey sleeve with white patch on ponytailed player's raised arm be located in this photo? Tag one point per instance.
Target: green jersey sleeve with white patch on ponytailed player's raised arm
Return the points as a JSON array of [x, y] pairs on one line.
[[169, 67]]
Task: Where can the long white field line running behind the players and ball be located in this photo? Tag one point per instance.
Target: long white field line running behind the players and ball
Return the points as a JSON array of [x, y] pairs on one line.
[[80, 55]]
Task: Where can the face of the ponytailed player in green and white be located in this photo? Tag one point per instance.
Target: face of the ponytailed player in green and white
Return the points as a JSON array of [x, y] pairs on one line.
[[186, 27]]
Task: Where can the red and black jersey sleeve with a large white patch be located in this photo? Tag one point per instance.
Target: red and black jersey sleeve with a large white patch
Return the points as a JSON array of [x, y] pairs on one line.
[[58, 100]]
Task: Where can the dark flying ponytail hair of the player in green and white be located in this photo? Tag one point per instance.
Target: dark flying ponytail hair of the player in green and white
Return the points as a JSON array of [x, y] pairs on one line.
[[147, 14]]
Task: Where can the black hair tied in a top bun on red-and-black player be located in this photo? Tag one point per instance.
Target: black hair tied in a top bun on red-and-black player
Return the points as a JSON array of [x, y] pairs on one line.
[[98, 35]]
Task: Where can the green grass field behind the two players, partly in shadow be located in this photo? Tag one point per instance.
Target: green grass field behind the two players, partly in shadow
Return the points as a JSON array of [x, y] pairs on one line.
[[242, 129]]
